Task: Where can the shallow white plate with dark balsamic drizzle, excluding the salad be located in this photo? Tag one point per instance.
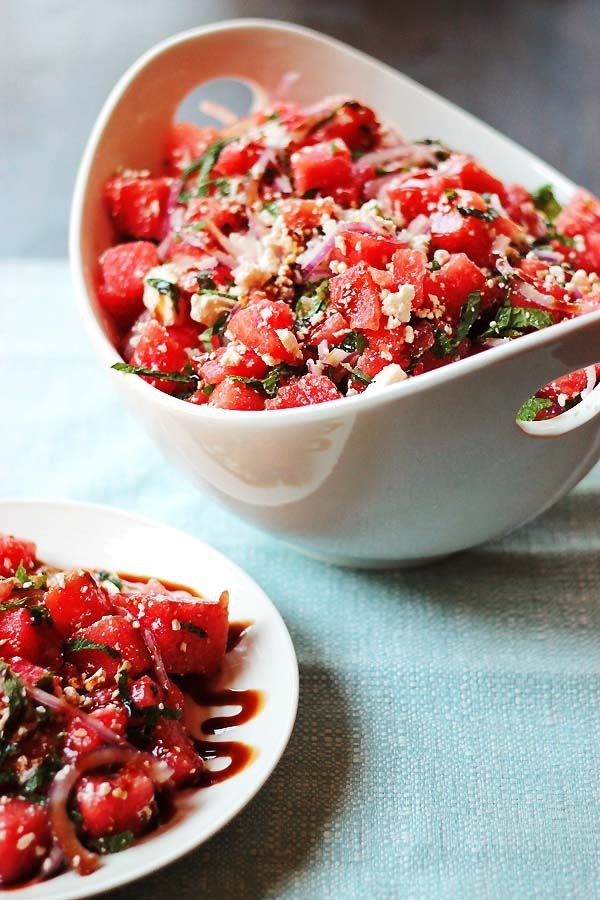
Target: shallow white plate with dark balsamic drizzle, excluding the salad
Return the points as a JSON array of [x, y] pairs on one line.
[[72, 534]]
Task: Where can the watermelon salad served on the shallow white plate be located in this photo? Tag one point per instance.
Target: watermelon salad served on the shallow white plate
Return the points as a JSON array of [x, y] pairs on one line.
[[92, 736]]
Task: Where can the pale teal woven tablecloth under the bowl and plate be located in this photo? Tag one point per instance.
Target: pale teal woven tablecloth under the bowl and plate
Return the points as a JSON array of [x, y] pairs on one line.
[[448, 735]]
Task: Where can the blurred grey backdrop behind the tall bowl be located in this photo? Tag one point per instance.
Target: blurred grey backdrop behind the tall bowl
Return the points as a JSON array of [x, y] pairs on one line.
[[529, 67]]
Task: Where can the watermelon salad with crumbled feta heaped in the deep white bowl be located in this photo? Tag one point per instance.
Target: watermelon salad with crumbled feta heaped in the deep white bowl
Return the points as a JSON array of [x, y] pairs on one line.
[[302, 255]]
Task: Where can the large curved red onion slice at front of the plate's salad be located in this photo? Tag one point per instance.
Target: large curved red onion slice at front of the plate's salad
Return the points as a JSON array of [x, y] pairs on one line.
[[83, 860]]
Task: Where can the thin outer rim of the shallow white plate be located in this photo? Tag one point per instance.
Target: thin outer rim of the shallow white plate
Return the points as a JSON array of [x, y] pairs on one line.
[[89, 888]]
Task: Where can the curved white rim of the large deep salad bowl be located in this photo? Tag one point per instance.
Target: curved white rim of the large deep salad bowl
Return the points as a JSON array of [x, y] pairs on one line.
[[454, 371]]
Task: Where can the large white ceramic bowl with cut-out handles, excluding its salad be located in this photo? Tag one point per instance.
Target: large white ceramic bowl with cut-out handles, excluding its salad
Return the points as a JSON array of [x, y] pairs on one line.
[[429, 467]]
